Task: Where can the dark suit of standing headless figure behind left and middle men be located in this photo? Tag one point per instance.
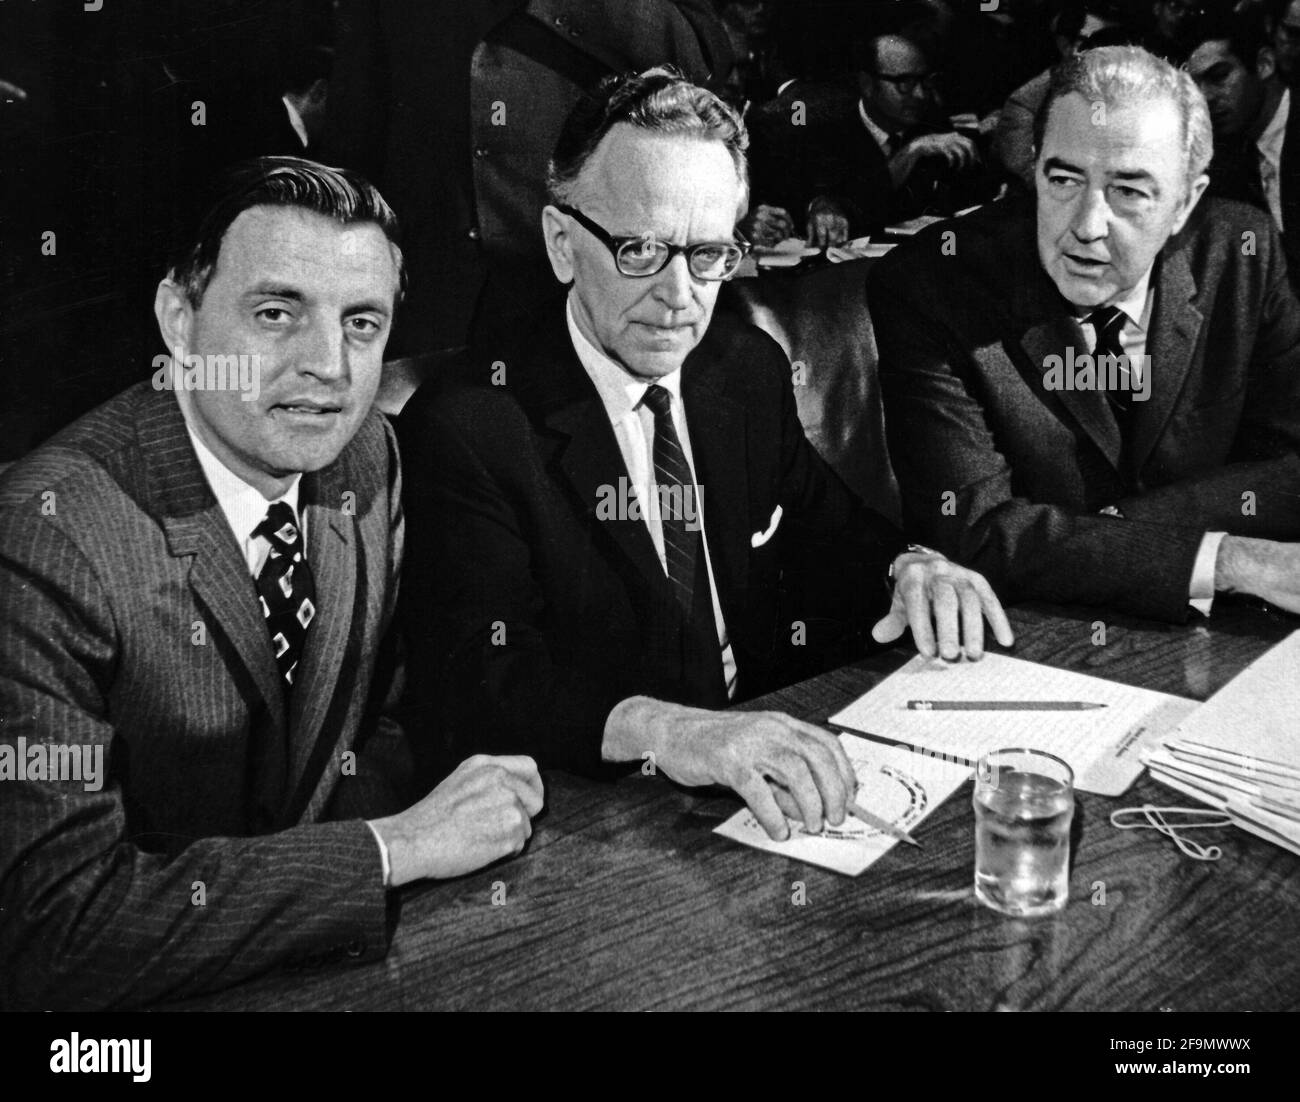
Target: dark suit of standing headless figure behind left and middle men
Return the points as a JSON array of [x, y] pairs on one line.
[[453, 110]]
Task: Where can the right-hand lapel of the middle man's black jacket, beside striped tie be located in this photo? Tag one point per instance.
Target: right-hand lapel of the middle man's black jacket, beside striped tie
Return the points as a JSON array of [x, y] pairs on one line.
[[718, 445]]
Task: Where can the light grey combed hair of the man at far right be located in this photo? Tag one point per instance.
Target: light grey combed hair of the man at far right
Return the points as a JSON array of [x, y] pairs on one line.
[[1125, 76]]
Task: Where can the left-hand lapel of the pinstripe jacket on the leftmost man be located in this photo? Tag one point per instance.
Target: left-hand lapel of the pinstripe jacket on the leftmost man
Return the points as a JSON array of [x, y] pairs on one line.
[[197, 528]]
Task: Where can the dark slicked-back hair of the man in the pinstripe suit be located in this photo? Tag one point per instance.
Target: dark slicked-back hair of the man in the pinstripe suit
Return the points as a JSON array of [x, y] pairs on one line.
[[339, 194]]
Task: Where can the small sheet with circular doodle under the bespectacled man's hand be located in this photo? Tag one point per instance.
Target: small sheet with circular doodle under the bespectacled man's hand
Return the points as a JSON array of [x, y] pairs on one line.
[[900, 787]]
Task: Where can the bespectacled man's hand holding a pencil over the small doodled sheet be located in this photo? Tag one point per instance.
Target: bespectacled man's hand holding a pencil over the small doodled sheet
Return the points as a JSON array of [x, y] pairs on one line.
[[778, 765]]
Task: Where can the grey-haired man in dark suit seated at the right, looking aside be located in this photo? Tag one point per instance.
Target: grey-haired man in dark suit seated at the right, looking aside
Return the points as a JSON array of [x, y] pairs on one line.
[[1097, 397]]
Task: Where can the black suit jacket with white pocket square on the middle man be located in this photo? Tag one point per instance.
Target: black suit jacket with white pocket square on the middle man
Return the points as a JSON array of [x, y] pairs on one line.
[[530, 618]]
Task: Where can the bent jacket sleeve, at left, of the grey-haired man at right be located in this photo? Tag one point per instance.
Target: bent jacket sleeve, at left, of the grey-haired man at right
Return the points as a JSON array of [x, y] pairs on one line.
[[957, 485]]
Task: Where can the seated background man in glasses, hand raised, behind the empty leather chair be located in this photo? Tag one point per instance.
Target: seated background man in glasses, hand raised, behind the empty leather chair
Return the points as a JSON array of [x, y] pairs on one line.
[[851, 166]]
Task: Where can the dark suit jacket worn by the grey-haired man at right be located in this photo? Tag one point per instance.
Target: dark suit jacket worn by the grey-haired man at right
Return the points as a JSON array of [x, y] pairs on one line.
[[1009, 476]]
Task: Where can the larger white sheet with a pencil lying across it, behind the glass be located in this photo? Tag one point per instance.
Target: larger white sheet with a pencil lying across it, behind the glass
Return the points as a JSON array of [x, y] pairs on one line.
[[1100, 745]]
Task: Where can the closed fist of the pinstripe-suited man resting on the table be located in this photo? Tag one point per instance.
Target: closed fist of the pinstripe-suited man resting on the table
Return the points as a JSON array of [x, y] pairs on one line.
[[476, 815]]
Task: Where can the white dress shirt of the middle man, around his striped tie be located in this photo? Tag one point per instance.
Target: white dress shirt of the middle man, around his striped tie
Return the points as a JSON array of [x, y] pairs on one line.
[[634, 428]]
